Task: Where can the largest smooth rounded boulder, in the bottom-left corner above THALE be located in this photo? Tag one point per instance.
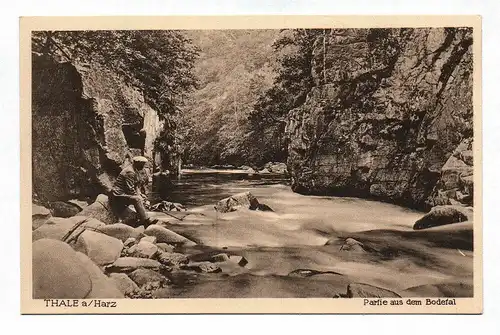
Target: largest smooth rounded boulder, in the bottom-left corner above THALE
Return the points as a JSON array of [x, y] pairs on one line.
[[58, 272]]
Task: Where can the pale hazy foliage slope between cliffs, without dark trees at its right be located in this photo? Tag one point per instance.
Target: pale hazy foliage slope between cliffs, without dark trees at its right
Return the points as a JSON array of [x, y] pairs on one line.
[[234, 68]]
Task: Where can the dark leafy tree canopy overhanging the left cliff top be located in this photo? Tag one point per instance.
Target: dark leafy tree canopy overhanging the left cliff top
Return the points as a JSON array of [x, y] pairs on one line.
[[158, 62]]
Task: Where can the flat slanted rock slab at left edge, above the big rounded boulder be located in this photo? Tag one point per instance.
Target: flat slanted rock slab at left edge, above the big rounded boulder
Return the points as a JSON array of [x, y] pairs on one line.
[[58, 228]]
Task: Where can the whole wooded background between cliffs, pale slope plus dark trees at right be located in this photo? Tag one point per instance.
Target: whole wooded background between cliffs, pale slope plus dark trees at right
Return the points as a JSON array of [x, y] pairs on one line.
[[250, 80]]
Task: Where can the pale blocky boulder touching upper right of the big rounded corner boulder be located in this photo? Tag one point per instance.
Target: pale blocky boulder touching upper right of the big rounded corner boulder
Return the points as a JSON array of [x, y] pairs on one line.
[[100, 248]]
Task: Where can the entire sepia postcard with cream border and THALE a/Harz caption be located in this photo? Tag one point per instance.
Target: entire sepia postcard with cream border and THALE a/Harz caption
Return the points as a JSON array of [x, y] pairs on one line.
[[251, 164]]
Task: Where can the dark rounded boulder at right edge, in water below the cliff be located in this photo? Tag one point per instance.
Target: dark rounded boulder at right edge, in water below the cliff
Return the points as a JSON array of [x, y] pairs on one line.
[[442, 215]]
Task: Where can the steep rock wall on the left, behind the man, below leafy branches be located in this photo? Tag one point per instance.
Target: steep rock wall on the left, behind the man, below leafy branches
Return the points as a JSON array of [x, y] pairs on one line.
[[86, 125]]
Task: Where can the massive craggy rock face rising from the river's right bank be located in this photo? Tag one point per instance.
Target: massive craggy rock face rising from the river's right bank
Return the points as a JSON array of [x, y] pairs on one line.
[[387, 110]]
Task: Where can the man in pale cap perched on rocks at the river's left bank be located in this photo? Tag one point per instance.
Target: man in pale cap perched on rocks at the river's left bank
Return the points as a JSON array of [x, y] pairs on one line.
[[127, 190]]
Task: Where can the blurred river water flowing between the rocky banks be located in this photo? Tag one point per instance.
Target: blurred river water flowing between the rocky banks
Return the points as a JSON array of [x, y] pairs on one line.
[[306, 232]]
